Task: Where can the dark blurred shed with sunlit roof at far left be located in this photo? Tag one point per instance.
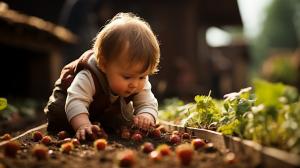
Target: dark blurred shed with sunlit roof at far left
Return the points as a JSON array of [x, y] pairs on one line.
[[31, 54]]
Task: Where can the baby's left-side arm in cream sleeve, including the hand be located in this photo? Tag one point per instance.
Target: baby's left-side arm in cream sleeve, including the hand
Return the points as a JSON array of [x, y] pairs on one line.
[[80, 95]]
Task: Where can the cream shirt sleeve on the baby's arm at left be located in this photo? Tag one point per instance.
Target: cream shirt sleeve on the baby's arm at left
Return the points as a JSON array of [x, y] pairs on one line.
[[80, 94]]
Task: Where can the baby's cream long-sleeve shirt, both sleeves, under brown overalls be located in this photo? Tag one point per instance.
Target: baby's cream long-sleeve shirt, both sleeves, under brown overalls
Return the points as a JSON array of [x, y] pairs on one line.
[[82, 90]]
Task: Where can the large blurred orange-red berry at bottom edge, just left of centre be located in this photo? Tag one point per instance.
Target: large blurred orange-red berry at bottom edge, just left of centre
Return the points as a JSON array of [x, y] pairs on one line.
[[126, 158]]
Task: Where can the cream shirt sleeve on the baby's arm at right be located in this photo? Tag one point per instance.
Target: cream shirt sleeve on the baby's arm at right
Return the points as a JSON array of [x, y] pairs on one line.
[[145, 102]]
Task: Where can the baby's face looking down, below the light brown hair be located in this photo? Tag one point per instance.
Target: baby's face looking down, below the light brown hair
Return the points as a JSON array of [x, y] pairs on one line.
[[125, 79]]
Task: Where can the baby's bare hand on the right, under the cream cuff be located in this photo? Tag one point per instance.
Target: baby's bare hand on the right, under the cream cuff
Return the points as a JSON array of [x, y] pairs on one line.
[[144, 121]]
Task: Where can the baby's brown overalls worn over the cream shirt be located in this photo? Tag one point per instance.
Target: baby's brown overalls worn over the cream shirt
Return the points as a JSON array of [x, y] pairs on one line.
[[101, 109]]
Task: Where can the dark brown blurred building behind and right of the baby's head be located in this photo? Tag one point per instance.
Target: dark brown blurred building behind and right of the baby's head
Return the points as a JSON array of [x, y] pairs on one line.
[[189, 66]]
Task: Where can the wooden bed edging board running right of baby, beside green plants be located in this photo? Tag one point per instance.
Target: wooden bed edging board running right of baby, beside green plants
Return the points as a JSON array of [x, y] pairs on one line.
[[265, 156]]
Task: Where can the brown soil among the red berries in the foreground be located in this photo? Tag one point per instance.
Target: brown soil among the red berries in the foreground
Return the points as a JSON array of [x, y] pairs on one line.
[[85, 155]]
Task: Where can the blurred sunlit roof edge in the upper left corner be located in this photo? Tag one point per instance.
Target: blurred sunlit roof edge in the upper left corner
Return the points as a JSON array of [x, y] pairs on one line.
[[30, 31]]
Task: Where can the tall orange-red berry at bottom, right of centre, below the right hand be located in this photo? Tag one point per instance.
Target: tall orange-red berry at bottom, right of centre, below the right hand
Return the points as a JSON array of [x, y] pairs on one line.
[[184, 153]]
